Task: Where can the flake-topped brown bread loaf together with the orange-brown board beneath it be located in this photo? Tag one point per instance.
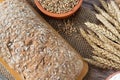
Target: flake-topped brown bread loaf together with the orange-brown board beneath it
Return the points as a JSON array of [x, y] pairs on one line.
[[30, 49]]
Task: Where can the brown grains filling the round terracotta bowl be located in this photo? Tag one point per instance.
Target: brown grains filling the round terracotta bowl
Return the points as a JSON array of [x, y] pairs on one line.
[[58, 6]]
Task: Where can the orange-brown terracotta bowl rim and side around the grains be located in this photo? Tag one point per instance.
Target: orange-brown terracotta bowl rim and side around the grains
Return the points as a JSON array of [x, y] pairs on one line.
[[61, 15]]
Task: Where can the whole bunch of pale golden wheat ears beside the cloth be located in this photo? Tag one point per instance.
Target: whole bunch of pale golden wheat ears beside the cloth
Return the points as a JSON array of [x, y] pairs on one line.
[[105, 37]]
